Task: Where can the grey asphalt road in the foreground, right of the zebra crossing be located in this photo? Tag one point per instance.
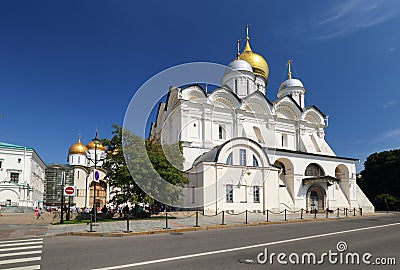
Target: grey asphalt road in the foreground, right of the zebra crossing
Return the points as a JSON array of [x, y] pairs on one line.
[[235, 248]]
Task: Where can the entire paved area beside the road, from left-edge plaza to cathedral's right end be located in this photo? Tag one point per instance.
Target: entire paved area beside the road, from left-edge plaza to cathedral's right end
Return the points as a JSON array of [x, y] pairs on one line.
[[25, 225]]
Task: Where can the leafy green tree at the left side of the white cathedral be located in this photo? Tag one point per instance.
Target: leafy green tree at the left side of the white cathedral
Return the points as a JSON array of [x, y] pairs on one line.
[[149, 164]]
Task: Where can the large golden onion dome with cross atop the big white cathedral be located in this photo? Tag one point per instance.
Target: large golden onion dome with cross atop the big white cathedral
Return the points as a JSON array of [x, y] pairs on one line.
[[257, 62]]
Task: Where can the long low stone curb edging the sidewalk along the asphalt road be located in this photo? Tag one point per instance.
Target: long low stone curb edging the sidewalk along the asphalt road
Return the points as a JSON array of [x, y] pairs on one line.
[[201, 228]]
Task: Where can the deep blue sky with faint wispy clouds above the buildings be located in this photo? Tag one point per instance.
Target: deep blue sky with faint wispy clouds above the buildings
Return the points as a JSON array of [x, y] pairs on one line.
[[73, 66]]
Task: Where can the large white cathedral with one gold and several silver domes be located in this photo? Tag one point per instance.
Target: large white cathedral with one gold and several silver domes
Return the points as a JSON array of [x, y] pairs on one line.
[[244, 152]]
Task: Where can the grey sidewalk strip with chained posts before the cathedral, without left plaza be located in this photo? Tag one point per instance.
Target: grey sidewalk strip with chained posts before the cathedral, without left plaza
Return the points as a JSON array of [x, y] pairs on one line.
[[182, 223]]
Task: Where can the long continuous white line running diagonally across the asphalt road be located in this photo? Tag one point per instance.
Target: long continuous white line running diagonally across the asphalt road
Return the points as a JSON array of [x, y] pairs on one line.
[[240, 248]]
